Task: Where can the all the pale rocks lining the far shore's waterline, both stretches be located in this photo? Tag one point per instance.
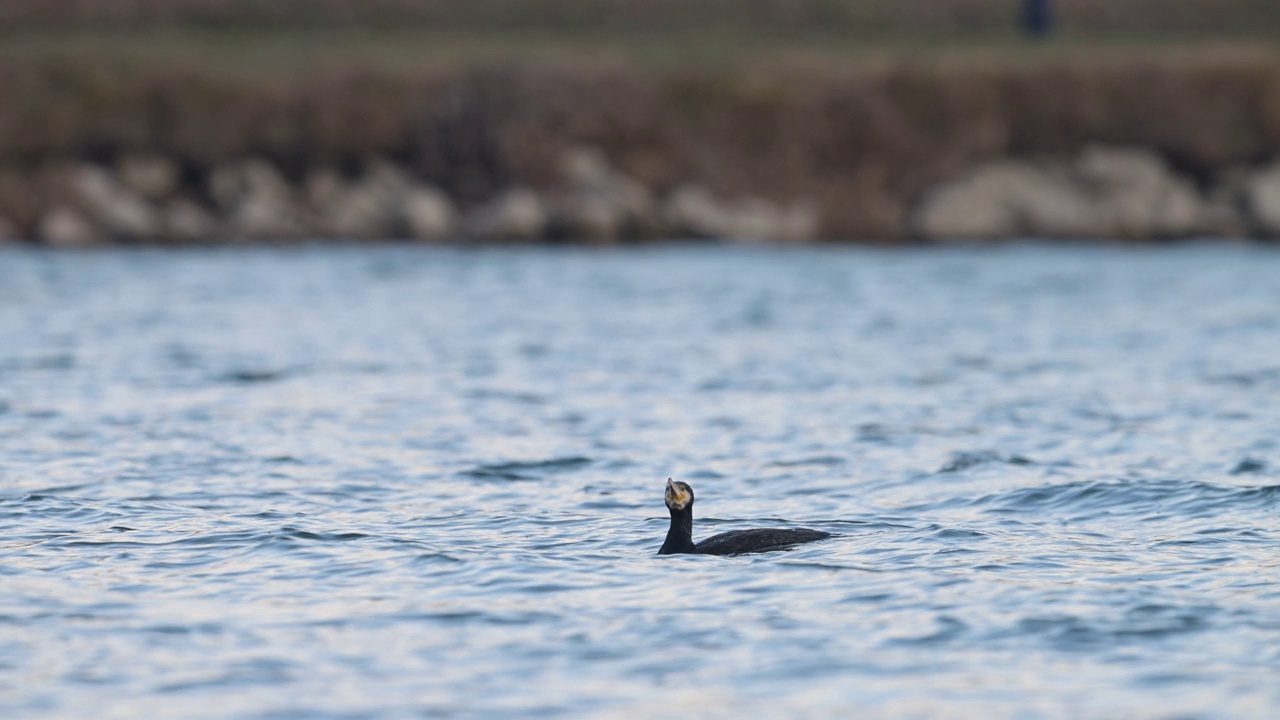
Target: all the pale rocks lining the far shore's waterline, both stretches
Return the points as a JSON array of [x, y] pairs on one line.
[[1105, 193]]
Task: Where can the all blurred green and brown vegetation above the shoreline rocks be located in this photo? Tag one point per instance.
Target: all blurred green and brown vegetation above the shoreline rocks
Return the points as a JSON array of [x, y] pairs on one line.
[[860, 106]]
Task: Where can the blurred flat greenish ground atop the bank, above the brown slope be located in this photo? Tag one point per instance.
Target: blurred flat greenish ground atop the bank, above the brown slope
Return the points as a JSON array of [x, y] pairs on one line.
[[267, 35]]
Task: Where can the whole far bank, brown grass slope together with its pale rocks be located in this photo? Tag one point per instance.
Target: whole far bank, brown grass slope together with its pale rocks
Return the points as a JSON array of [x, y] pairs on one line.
[[1142, 147]]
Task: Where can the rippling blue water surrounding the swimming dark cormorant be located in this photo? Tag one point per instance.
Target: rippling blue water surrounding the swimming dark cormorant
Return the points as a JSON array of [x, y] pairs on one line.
[[413, 484]]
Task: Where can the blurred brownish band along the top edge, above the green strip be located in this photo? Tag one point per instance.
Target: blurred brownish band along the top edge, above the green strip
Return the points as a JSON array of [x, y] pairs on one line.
[[840, 19]]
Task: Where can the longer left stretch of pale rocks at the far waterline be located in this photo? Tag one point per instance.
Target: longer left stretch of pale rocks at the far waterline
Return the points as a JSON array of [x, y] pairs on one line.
[[147, 199]]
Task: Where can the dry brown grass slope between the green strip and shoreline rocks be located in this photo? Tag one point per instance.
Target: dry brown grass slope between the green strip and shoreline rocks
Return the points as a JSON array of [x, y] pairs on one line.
[[862, 135]]
